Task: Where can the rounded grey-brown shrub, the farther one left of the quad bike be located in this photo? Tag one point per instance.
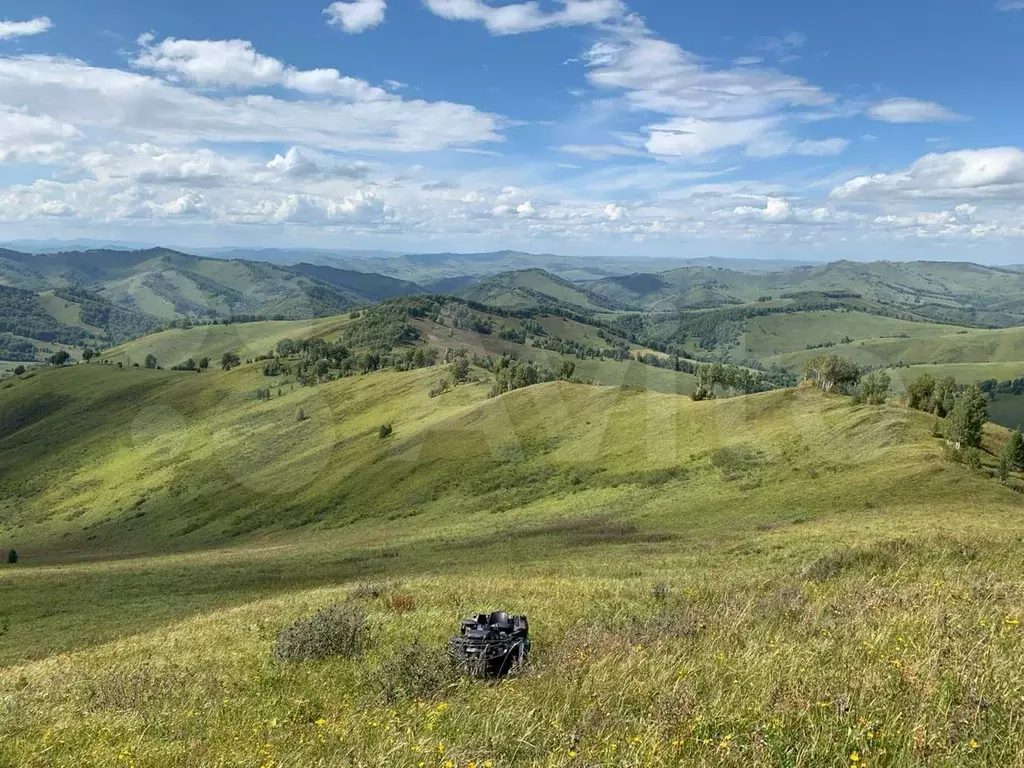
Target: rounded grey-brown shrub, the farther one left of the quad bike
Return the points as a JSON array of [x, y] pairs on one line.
[[339, 630]]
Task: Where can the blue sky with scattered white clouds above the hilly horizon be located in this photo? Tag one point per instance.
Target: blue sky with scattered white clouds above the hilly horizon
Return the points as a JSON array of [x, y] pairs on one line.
[[801, 130]]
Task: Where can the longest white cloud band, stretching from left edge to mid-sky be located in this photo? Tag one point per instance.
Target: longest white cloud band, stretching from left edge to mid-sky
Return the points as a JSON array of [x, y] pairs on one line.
[[123, 106]]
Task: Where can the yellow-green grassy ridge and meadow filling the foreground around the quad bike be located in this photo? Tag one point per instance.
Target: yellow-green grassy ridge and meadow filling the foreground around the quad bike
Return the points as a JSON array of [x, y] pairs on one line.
[[776, 580]]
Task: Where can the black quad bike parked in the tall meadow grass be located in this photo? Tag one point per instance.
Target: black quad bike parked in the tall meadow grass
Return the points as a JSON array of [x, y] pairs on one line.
[[491, 645]]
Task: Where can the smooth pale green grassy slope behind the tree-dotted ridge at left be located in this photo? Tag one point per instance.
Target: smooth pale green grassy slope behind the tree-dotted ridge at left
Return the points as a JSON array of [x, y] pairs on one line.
[[248, 339]]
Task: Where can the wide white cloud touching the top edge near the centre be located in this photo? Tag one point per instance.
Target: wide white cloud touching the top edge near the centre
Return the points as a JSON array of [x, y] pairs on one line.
[[528, 17]]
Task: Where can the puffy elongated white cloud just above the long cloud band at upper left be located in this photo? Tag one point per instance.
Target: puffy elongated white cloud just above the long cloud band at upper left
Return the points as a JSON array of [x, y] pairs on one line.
[[236, 64]]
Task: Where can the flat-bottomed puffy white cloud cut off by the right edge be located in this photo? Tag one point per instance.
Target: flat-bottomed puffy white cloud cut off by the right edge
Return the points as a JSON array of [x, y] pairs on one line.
[[976, 174]]
